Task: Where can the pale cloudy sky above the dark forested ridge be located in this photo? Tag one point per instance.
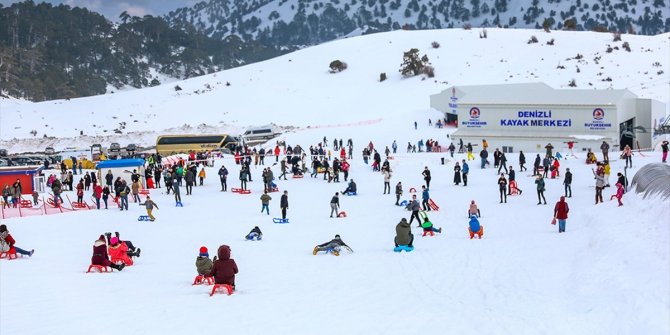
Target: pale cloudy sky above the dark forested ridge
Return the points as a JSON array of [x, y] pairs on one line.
[[112, 8]]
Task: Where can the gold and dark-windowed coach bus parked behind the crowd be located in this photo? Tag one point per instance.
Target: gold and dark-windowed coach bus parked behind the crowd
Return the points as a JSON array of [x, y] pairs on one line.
[[183, 144]]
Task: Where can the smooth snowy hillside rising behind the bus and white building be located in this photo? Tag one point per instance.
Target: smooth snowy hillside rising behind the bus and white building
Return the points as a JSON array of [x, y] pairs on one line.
[[299, 84]]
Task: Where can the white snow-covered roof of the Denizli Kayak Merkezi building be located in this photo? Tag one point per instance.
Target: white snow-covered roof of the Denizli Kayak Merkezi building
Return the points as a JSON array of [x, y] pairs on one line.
[[536, 94]]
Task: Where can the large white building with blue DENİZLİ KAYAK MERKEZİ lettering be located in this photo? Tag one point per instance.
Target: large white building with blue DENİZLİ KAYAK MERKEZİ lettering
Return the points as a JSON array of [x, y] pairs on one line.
[[526, 117]]
